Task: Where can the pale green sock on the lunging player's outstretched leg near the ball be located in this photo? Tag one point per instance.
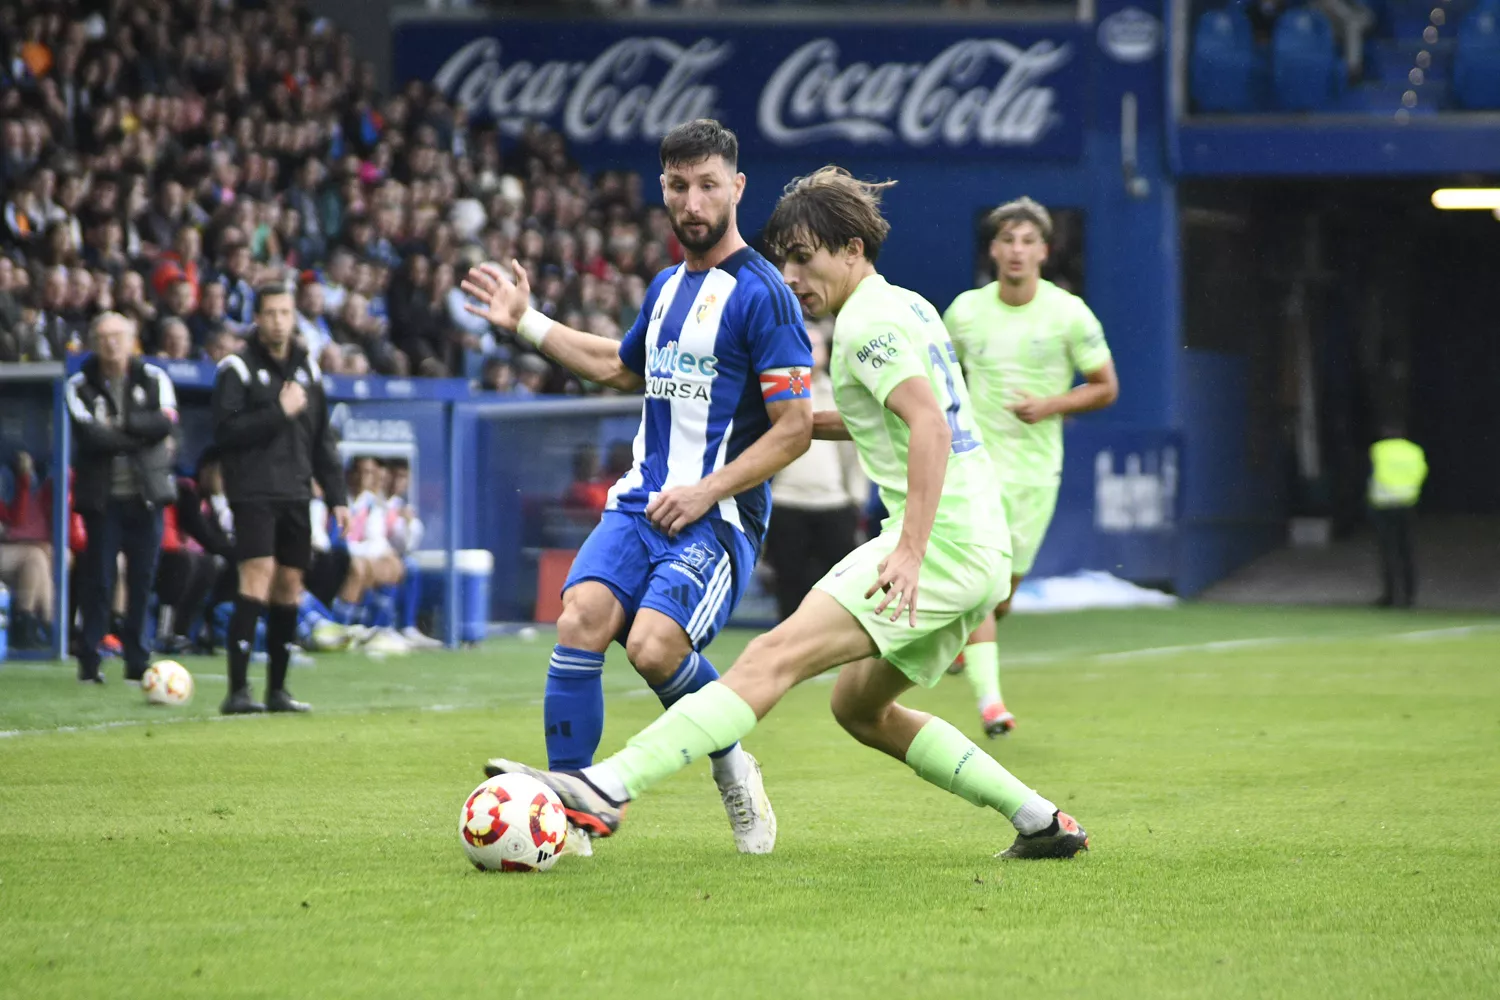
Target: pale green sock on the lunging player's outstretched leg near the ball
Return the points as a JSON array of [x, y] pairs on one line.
[[704, 722]]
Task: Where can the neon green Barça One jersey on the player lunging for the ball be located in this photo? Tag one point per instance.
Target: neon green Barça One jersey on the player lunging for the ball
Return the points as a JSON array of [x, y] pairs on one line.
[[884, 337]]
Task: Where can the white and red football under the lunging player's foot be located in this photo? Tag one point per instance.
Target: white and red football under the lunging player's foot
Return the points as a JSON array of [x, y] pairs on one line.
[[514, 824]]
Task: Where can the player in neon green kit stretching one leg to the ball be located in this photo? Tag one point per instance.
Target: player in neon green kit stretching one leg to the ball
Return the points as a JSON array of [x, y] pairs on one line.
[[898, 609]]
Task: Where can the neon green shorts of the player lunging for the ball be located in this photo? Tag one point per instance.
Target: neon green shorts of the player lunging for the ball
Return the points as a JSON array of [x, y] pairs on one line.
[[958, 587]]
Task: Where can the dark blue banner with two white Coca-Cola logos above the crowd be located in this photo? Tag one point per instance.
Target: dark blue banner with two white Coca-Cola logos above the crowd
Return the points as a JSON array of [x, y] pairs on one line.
[[838, 91]]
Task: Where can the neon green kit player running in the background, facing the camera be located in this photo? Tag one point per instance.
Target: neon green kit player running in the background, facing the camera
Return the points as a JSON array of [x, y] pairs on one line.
[[1021, 340]]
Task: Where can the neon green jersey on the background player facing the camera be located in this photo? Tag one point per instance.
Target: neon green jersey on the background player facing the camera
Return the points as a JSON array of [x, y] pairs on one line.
[[1015, 350]]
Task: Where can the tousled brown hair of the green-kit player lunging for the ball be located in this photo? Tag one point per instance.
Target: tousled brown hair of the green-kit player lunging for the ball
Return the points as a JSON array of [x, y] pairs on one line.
[[829, 209]]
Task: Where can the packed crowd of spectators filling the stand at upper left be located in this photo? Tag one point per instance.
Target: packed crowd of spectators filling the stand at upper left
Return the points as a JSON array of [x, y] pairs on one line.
[[164, 158]]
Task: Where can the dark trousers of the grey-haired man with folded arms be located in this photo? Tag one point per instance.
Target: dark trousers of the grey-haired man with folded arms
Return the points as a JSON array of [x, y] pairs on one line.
[[130, 527]]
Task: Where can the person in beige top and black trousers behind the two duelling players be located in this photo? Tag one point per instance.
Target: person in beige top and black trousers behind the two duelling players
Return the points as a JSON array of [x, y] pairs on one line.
[[815, 501]]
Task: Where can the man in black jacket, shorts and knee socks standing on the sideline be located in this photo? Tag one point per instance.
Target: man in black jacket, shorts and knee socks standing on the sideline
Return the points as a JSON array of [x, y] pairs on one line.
[[271, 422]]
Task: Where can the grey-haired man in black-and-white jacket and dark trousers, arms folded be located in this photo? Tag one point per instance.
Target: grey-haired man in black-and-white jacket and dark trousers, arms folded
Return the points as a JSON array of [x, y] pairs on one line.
[[124, 415]]
